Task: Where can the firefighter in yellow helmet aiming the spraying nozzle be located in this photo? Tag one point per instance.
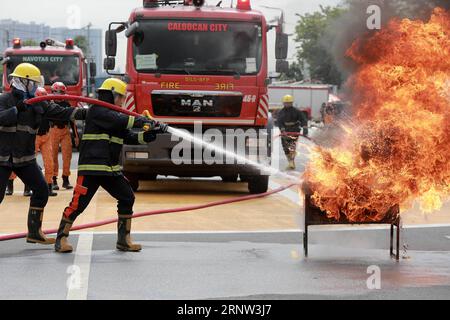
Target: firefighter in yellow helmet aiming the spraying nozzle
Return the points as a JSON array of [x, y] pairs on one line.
[[101, 144]]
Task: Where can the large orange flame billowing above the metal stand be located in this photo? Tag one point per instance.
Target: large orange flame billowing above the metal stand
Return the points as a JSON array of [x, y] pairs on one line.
[[400, 149]]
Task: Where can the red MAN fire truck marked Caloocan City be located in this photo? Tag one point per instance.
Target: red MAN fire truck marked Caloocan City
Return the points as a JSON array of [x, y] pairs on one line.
[[188, 63]]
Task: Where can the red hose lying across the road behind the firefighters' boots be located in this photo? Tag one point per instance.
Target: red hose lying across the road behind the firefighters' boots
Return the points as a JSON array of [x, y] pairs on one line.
[[158, 212]]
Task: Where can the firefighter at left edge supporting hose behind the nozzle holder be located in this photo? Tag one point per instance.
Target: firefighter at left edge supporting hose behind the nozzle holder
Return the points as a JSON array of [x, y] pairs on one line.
[[19, 123]]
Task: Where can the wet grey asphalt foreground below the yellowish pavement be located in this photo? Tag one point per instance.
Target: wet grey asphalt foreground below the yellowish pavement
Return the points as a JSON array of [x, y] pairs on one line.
[[230, 266]]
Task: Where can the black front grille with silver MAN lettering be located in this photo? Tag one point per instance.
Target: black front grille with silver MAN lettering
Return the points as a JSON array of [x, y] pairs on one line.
[[197, 104]]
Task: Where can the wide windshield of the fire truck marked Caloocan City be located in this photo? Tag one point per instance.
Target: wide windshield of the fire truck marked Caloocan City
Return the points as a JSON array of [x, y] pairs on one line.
[[198, 47]]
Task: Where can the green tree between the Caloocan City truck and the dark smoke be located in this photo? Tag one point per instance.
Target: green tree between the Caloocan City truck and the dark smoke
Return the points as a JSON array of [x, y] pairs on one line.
[[310, 31]]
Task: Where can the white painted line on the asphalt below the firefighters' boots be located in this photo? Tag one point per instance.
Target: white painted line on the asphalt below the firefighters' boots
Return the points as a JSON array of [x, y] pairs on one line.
[[78, 287]]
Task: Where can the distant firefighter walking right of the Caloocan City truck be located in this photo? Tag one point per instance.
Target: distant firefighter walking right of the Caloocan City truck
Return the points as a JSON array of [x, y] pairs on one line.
[[291, 120]]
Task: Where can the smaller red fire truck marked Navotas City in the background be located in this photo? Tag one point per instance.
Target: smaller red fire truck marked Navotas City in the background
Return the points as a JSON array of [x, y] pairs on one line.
[[57, 61]]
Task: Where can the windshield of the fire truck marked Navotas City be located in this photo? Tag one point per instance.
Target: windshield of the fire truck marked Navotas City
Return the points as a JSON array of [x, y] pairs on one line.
[[54, 68]]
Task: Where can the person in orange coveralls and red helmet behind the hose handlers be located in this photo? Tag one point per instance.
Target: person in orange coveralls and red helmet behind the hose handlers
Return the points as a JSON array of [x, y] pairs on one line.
[[61, 136]]
